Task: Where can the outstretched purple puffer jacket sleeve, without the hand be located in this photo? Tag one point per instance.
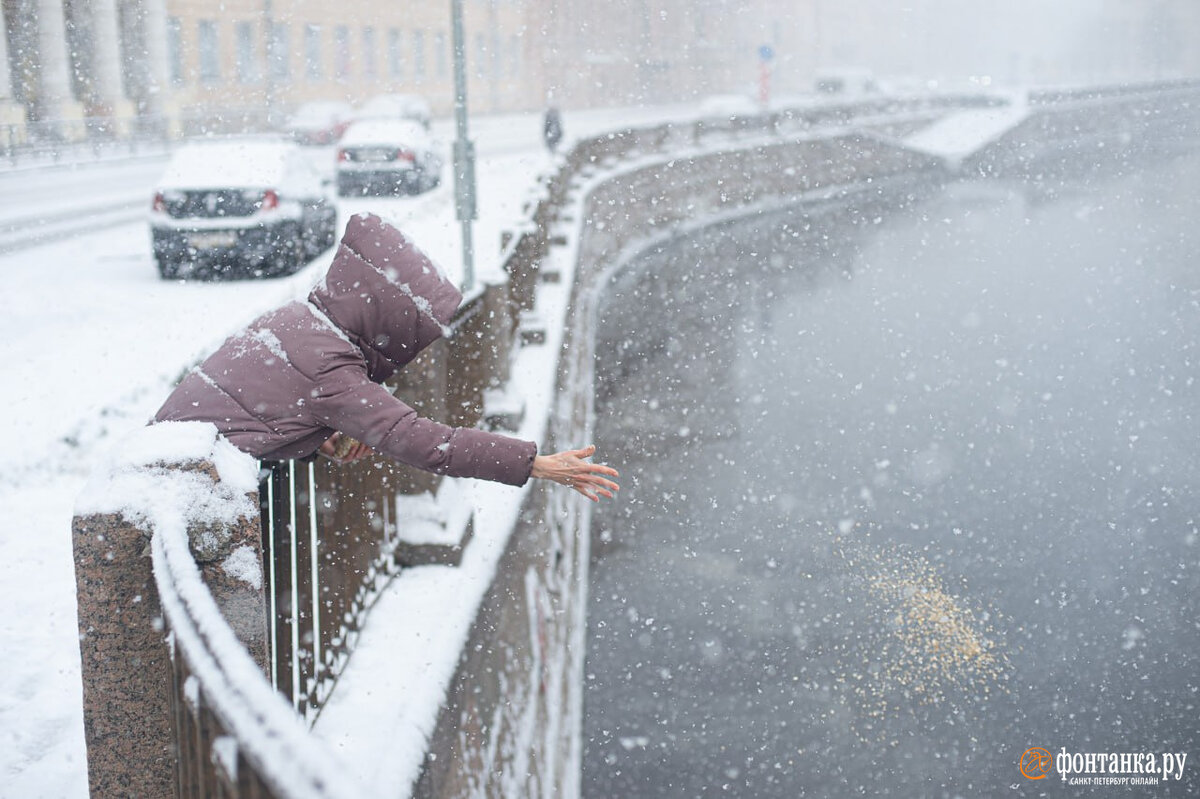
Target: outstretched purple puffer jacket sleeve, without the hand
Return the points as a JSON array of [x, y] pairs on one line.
[[352, 404]]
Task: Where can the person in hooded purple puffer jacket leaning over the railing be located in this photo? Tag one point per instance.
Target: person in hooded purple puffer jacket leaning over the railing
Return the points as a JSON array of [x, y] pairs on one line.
[[307, 377]]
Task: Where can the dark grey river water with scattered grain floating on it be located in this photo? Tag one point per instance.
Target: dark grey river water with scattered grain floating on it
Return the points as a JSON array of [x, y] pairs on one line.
[[905, 494]]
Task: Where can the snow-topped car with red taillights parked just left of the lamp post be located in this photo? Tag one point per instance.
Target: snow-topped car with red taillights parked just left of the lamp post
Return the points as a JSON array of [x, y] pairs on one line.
[[387, 158]]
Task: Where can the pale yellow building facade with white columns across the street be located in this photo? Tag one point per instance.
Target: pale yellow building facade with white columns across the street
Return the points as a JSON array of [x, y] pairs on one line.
[[244, 64]]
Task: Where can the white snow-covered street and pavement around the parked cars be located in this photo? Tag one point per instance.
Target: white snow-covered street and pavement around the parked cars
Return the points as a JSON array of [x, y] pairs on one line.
[[94, 341]]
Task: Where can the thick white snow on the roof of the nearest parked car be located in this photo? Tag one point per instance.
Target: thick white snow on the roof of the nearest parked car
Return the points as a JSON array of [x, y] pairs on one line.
[[227, 164]]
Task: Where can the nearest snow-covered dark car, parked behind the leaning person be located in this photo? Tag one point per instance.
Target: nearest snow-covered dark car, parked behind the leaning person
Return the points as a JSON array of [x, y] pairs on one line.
[[241, 207]]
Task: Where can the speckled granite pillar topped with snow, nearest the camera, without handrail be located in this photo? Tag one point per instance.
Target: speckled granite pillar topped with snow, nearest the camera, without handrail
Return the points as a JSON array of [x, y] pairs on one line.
[[124, 646]]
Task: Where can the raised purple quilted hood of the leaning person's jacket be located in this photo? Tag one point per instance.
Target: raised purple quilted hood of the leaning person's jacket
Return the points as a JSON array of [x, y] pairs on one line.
[[386, 295]]
